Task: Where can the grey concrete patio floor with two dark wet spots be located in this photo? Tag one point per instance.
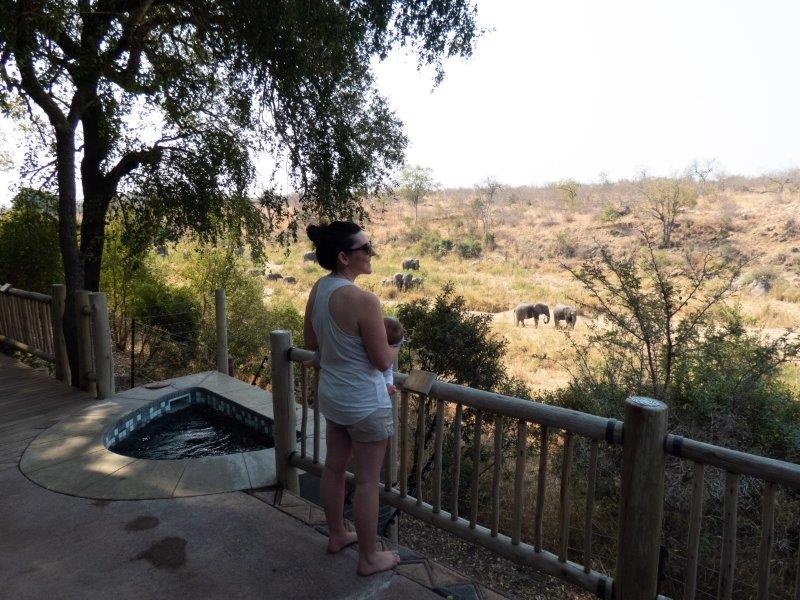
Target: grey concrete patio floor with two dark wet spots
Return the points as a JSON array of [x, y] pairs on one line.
[[226, 546]]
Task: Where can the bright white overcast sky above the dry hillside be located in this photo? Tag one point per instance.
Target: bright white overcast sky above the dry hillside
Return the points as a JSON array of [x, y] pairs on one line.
[[573, 88]]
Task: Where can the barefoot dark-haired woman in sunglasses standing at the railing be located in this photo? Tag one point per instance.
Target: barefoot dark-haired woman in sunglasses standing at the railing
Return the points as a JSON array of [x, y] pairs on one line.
[[345, 324]]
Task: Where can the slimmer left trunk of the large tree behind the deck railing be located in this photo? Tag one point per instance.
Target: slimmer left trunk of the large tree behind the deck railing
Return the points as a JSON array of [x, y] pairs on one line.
[[68, 240]]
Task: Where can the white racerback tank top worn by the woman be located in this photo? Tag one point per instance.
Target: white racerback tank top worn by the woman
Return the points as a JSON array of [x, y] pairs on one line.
[[350, 388]]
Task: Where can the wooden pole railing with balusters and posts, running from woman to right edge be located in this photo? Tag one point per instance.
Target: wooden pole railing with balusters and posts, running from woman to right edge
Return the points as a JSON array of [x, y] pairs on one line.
[[641, 491]]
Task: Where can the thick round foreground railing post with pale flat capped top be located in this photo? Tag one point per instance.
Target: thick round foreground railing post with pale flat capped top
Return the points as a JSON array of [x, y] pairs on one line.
[[642, 499]]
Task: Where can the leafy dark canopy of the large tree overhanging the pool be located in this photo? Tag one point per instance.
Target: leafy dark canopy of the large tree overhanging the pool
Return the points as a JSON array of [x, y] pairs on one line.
[[162, 105]]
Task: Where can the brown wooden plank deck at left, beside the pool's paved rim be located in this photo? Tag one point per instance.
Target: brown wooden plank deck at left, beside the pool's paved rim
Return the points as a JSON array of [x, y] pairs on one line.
[[30, 401]]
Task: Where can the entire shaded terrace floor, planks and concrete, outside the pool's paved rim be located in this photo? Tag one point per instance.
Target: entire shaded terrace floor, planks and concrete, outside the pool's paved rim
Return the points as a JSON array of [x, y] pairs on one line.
[[235, 544]]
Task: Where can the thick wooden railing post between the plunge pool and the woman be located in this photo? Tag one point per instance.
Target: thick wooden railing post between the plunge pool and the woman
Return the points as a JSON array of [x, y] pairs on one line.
[[283, 409]]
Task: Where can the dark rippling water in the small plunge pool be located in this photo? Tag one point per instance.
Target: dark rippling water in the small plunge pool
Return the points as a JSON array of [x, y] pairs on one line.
[[194, 431]]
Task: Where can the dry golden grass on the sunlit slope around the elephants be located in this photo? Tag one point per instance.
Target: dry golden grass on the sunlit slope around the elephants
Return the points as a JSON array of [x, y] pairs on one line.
[[532, 235]]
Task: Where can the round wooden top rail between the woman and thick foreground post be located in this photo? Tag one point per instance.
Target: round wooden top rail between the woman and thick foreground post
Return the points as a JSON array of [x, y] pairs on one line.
[[583, 424]]
